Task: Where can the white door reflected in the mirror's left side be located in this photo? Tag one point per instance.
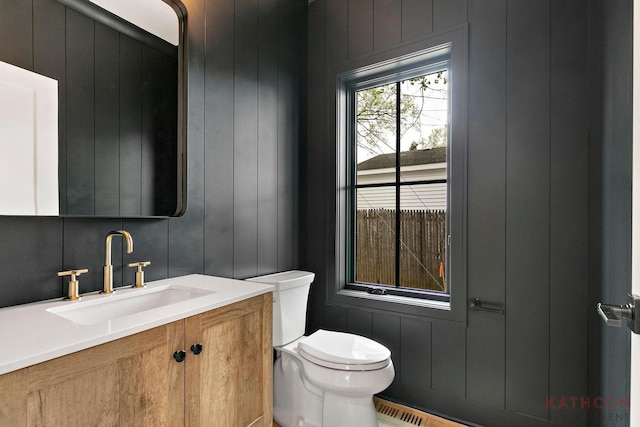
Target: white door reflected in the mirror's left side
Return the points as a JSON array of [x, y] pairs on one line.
[[28, 142]]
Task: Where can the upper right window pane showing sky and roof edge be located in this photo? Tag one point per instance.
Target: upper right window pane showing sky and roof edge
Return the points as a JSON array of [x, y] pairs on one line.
[[424, 124]]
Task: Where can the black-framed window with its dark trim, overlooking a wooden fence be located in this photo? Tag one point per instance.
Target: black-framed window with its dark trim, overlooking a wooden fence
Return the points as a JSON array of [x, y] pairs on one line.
[[401, 132]]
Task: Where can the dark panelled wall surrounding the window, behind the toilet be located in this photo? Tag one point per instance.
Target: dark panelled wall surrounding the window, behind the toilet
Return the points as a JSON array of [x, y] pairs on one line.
[[530, 207]]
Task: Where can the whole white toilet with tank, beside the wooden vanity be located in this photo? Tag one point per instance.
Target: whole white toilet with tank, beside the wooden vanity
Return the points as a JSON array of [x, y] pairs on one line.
[[326, 379]]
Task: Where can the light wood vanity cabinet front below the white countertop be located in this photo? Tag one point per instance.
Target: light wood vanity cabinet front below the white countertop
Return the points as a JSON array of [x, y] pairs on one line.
[[136, 381]]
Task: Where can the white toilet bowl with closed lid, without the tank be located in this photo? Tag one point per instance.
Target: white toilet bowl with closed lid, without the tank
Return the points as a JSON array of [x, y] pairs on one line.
[[317, 384]]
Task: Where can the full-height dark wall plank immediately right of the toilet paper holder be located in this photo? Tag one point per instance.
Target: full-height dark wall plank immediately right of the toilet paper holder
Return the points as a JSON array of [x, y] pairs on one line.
[[527, 238]]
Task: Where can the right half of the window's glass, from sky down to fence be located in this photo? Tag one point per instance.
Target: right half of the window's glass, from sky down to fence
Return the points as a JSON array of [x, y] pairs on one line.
[[424, 139]]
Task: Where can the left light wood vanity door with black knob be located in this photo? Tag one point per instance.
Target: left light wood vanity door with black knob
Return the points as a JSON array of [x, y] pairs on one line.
[[133, 381]]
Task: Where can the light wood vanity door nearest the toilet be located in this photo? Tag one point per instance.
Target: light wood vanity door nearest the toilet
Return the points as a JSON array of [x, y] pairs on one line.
[[229, 384]]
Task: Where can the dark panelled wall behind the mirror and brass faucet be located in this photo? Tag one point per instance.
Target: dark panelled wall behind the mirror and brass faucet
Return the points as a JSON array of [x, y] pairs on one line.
[[243, 125]]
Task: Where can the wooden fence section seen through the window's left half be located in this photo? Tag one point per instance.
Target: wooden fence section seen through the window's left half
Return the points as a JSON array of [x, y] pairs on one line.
[[375, 246]]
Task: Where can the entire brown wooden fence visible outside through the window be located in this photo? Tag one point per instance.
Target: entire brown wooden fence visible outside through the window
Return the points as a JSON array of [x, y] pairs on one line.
[[422, 253]]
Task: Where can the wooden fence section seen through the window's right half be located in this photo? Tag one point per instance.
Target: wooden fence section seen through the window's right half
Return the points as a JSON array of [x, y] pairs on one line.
[[423, 248]]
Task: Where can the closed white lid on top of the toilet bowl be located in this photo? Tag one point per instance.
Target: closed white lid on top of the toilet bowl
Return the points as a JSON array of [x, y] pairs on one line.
[[340, 347]]
